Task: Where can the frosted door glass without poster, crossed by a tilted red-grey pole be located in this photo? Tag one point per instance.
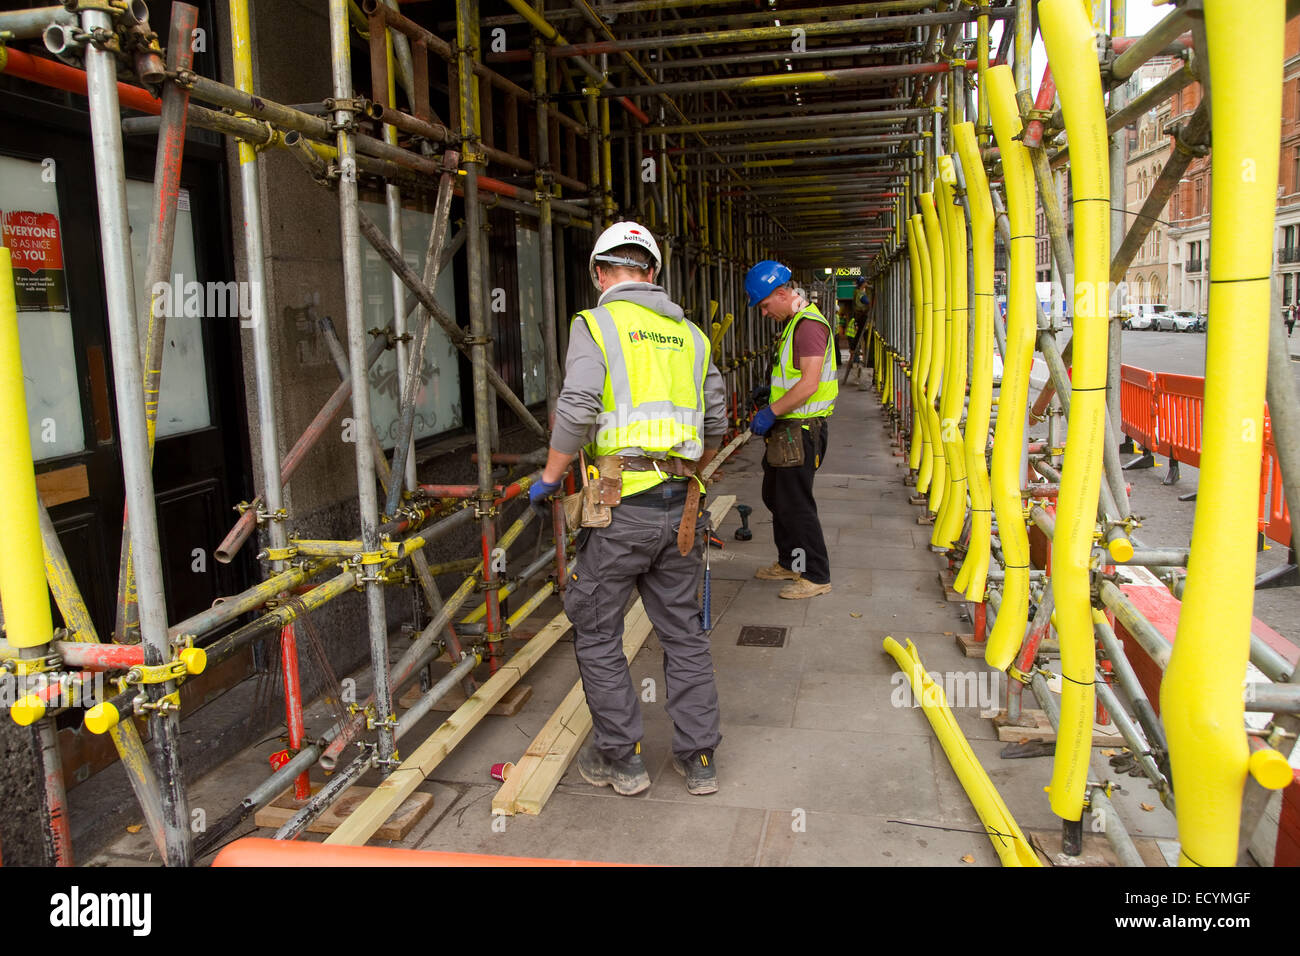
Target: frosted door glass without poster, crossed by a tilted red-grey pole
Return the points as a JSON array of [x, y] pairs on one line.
[[184, 400]]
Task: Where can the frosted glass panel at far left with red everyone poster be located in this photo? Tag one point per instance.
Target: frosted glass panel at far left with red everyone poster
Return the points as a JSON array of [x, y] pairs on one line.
[[31, 227]]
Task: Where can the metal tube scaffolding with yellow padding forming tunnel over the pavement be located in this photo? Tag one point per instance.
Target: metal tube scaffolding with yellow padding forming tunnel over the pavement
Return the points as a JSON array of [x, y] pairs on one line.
[[887, 135]]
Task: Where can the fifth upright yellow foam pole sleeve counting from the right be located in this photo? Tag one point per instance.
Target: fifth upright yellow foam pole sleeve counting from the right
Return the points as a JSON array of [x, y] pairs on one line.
[[952, 516]]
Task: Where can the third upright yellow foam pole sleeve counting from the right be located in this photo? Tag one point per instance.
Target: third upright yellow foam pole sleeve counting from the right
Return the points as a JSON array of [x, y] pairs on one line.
[[1013, 617]]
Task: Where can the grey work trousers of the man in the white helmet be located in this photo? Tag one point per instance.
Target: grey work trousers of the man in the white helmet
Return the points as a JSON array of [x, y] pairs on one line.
[[640, 550]]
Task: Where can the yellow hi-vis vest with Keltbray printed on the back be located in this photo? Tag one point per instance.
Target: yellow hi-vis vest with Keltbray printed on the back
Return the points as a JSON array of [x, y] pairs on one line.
[[655, 387]]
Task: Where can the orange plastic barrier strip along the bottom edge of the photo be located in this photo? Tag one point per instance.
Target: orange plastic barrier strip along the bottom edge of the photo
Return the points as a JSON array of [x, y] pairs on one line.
[[254, 851]]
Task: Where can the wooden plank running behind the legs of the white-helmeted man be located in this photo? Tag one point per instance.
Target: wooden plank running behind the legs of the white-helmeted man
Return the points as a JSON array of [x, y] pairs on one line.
[[539, 771]]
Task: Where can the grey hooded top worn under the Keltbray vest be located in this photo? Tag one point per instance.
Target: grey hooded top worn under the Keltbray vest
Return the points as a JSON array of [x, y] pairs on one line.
[[580, 401]]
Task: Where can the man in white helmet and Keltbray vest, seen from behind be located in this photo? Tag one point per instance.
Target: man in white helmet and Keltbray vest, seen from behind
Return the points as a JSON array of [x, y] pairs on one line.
[[643, 396]]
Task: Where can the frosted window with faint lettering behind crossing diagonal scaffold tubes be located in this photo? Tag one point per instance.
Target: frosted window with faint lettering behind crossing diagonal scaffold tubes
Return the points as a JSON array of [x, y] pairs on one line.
[[439, 404]]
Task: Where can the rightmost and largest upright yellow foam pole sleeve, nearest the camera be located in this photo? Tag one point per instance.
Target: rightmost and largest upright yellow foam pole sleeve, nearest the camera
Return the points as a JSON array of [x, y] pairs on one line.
[[1201, 698]]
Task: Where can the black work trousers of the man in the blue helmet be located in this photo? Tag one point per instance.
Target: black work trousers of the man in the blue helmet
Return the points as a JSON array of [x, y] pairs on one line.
[[796, 527]]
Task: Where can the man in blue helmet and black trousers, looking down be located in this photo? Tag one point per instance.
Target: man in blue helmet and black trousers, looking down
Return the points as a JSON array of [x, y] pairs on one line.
[[796, 425]]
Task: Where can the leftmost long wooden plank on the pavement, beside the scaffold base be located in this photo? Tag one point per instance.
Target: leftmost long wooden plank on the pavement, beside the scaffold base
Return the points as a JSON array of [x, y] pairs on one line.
[[402, 782]]
